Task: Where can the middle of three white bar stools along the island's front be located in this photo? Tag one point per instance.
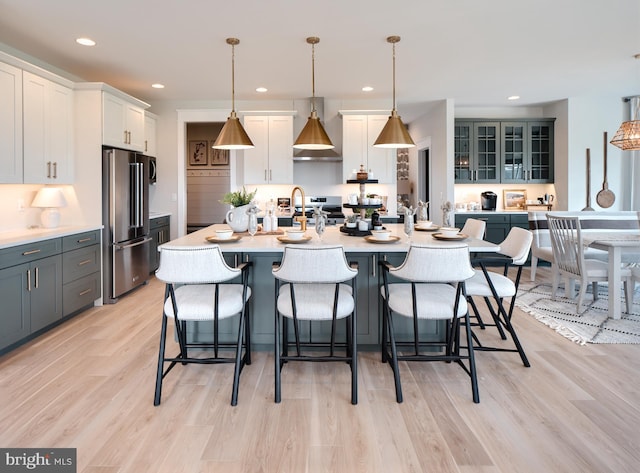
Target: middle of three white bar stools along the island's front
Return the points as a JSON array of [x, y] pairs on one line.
[[315, 284]]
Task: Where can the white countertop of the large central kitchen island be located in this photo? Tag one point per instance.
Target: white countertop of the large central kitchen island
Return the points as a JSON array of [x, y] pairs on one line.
[[332, 236]]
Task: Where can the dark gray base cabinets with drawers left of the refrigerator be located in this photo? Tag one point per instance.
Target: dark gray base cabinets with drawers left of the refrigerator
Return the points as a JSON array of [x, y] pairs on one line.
[[45, 282]]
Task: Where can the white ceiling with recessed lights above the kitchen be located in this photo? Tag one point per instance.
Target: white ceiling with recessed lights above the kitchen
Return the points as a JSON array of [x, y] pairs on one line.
[[475, 52]]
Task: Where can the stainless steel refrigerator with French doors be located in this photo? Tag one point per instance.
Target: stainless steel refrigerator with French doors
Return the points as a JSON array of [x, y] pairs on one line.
[[125, 216]]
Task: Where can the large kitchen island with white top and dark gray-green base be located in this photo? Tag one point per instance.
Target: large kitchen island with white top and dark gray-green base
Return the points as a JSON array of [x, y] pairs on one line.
[[264, 250]]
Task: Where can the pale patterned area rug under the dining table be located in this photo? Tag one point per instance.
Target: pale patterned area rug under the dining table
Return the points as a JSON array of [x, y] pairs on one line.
[[591, 325]]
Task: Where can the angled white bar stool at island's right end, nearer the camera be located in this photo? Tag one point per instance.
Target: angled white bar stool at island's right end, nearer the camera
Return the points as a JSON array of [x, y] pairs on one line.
[[495, 287]]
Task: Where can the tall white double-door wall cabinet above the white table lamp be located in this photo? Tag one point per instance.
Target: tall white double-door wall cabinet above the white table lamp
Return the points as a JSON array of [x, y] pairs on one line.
[[47, 131]]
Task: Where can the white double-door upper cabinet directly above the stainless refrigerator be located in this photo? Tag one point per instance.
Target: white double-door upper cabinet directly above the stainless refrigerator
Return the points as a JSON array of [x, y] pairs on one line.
[[123, 123]]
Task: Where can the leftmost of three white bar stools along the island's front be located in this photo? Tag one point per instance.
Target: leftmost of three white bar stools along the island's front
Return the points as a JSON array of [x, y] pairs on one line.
[[200, 287]]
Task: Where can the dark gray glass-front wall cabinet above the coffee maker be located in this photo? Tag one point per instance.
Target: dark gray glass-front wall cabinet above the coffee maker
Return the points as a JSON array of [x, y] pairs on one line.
[[503, 151]]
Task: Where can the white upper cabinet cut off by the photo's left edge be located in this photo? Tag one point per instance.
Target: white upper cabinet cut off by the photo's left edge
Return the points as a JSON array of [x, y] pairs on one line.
[[10, 124]]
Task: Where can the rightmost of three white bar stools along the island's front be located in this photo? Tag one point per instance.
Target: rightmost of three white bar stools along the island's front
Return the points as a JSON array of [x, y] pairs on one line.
[[428, 286]]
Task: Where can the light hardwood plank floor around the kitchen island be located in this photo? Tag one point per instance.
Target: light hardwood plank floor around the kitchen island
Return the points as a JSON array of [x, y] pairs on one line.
[[89, 384]]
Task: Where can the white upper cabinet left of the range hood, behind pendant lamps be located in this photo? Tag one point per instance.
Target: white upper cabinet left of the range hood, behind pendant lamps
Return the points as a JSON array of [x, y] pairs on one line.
[[271, 161]]
